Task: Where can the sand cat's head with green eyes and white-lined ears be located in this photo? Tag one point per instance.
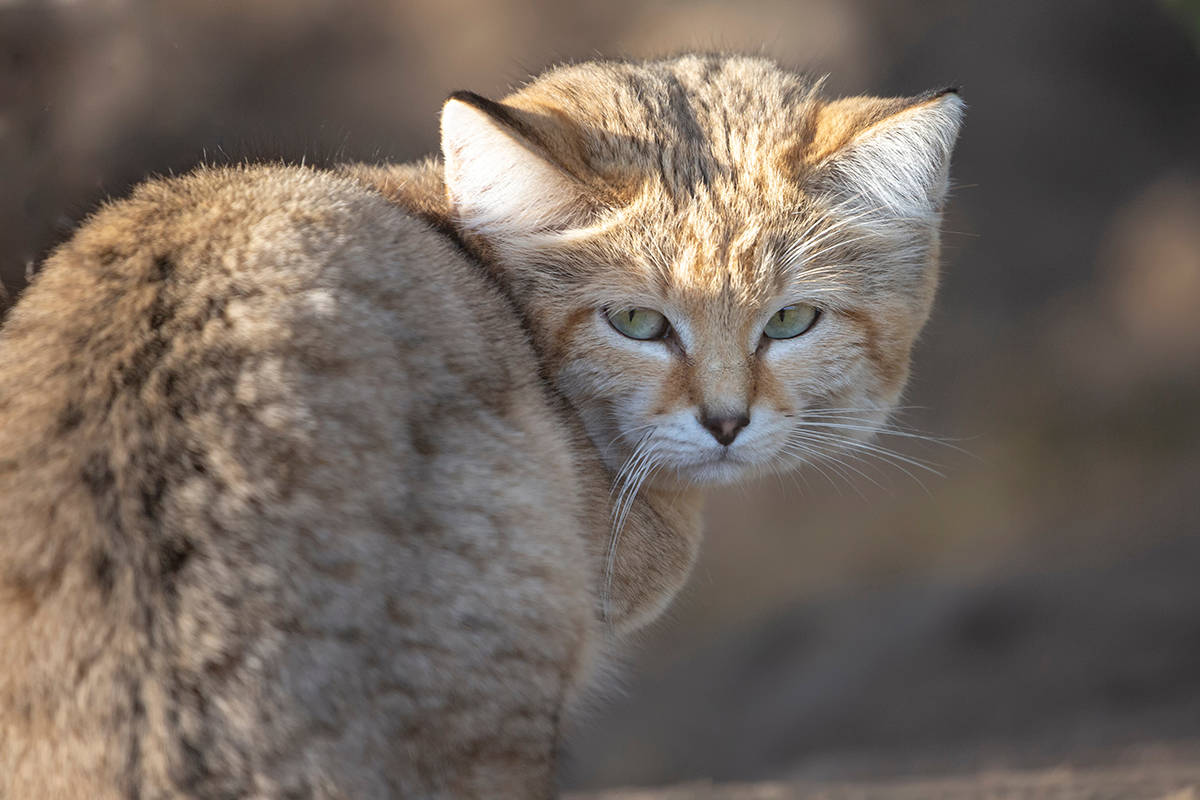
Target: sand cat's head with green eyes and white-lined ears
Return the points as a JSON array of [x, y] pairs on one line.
[[724, 273]]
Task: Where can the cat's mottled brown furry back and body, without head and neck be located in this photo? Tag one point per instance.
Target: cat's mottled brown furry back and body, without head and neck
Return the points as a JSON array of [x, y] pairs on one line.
[[268, 530]]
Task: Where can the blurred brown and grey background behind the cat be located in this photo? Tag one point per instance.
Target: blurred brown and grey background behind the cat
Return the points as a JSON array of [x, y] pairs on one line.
[[1034, 603]]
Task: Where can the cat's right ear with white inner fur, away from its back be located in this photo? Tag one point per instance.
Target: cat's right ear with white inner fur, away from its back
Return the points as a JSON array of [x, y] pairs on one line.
[[898, 164]]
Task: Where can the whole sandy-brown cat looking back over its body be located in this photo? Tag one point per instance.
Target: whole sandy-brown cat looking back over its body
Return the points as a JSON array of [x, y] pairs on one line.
[[338, 485]]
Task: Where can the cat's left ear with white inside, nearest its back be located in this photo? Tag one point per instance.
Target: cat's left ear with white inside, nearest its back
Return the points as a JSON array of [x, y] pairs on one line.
[[500, 181]]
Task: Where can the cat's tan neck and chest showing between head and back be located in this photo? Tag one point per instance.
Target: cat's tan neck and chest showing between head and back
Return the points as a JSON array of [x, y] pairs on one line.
[[645, 562]]
